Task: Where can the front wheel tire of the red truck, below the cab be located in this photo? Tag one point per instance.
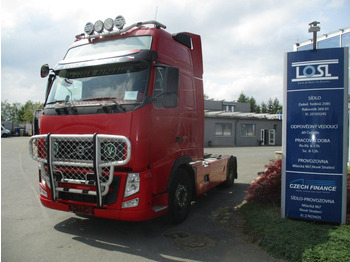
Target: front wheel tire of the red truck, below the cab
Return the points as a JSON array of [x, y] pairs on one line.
[[180, 196]]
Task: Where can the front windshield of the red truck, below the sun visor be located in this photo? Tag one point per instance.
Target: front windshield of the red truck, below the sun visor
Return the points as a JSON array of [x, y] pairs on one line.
[[123, 83]]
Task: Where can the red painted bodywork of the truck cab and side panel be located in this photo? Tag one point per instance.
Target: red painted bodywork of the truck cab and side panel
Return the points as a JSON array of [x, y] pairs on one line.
[[152, 132]]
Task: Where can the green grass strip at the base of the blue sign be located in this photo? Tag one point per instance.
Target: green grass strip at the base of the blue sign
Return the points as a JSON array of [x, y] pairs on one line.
[[294, 240]]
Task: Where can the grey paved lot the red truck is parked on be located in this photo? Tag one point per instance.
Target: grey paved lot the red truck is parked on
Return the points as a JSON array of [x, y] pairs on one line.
[[31, 232]]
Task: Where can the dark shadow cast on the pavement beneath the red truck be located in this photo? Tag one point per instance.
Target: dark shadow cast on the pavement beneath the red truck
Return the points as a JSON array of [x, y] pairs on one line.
[[205, 229]]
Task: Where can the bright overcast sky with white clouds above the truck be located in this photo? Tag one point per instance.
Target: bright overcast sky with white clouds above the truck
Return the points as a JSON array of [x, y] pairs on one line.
[[243, 41]]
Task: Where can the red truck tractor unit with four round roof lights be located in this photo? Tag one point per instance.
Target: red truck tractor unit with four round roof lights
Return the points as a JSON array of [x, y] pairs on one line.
[[122, 129]]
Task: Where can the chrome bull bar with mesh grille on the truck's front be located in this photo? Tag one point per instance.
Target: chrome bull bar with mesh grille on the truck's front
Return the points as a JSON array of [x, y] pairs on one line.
[[81, 160]]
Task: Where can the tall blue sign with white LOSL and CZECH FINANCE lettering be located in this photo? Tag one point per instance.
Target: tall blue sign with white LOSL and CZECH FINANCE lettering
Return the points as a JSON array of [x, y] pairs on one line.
[[315, 135]]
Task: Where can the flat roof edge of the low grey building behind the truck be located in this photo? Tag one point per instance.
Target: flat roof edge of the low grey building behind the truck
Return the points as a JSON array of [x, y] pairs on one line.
[[240, 115]]
